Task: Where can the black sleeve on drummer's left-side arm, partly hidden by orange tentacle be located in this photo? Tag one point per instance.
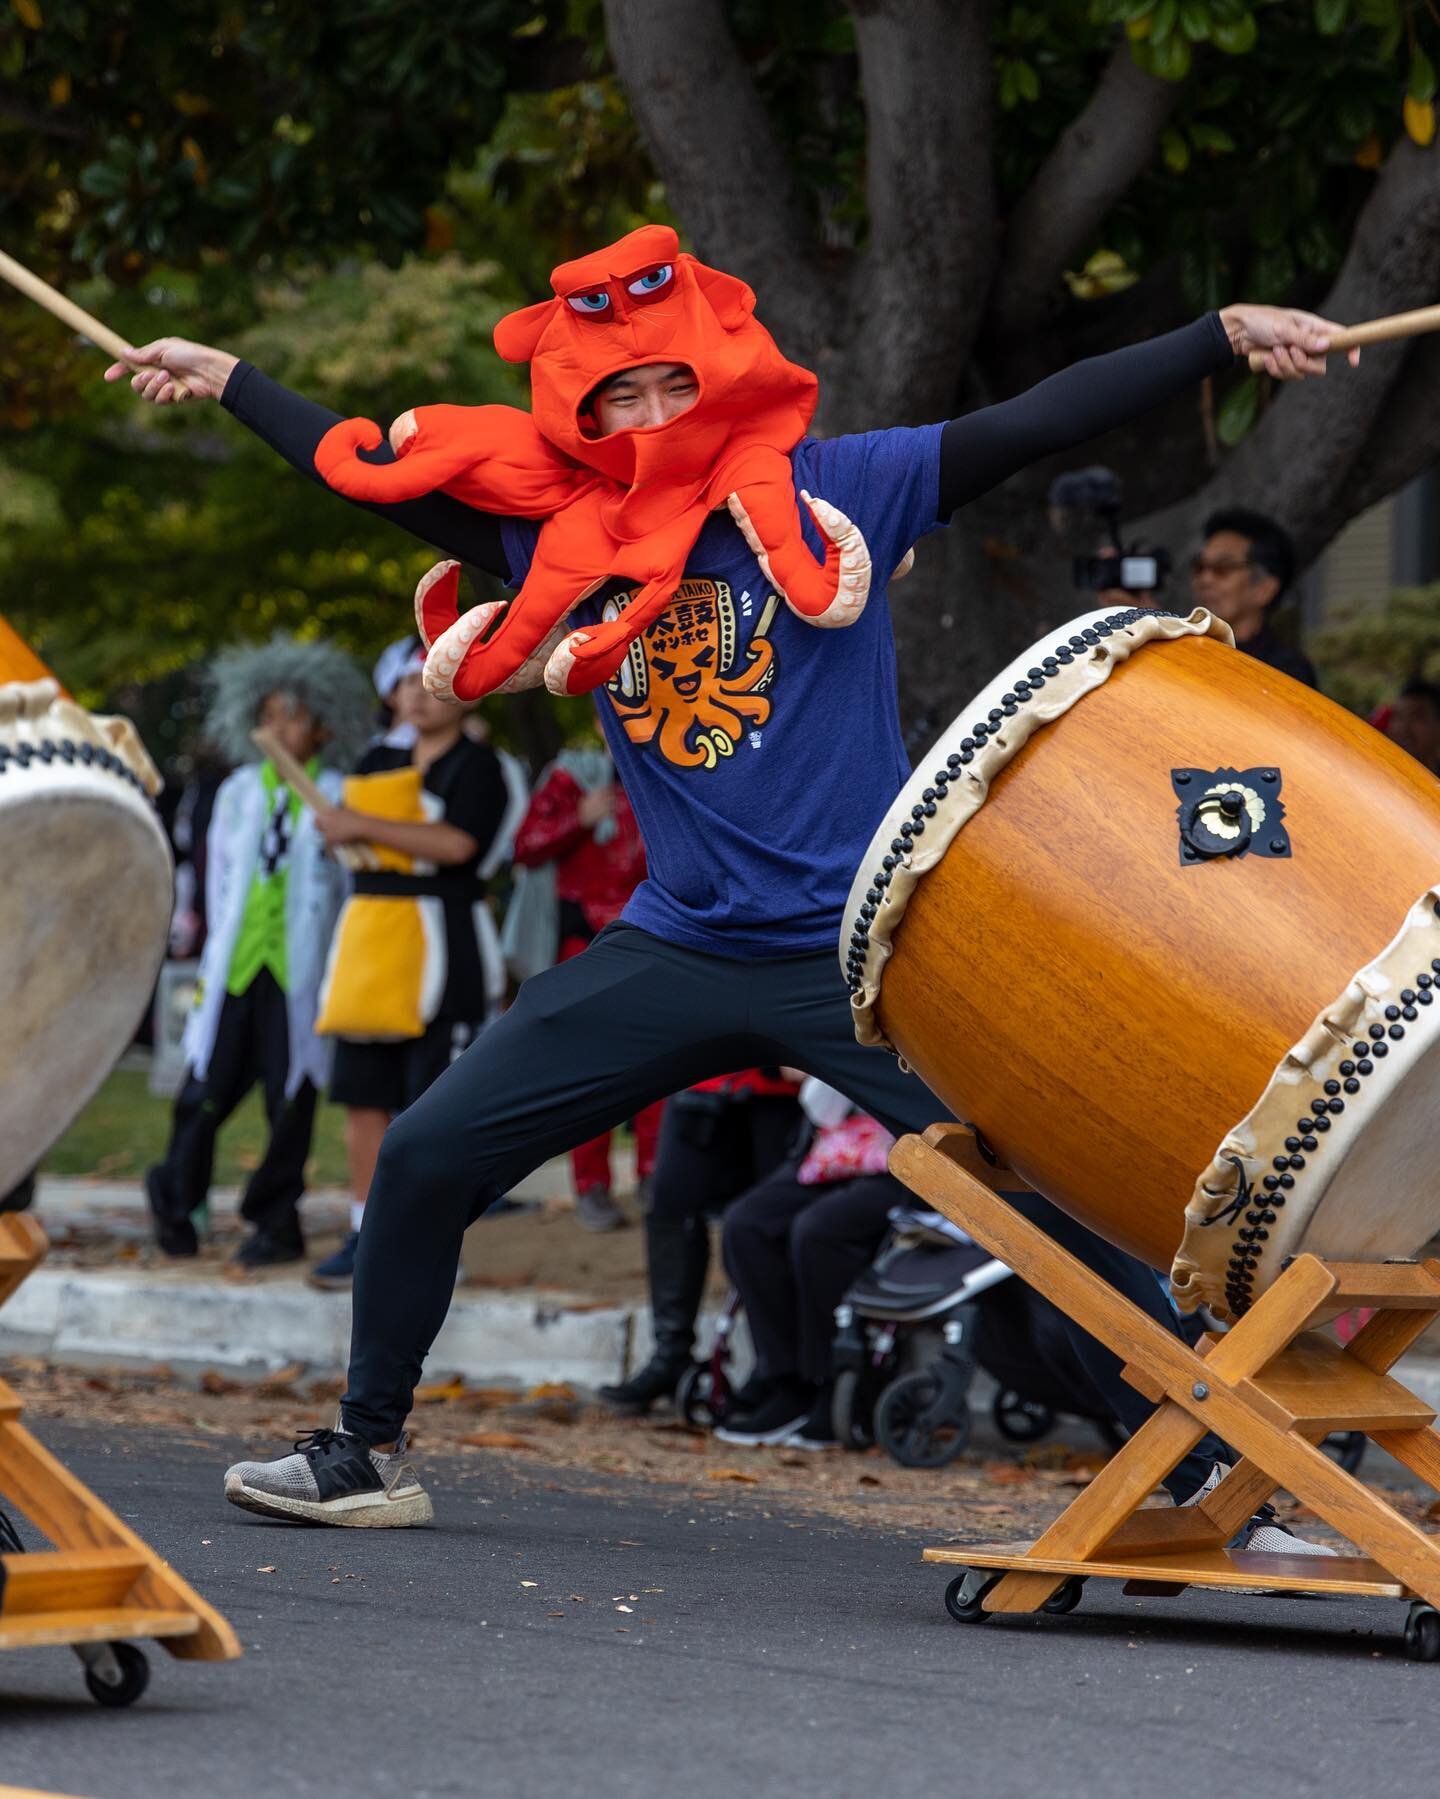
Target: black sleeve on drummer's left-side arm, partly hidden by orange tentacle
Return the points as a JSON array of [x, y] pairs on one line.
[[294, 427]]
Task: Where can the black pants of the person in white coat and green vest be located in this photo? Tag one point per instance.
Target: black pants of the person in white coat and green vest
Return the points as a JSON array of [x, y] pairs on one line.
[[251, 1044]]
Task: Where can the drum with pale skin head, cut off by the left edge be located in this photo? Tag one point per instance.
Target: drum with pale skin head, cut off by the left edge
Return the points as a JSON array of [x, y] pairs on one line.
[[85, 879]]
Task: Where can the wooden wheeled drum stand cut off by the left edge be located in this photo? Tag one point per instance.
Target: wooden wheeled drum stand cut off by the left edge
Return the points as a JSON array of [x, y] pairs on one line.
[[102, 1584]]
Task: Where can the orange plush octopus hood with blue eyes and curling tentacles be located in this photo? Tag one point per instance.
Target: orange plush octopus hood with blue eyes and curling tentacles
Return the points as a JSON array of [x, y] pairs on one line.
[[627, 505]]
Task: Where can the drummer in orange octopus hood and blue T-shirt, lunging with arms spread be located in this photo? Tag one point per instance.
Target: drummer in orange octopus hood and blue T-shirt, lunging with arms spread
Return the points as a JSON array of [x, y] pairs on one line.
[[654, 514]]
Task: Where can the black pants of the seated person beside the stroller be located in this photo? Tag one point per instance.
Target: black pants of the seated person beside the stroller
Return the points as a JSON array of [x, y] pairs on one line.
[[793, 1253]]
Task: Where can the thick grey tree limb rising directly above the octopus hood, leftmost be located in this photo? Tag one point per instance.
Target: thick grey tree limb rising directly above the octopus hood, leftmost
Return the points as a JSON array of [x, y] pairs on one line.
[[719, 156]]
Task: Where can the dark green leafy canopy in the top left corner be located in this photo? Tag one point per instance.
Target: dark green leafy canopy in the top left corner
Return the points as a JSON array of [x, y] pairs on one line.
[[186, 127]]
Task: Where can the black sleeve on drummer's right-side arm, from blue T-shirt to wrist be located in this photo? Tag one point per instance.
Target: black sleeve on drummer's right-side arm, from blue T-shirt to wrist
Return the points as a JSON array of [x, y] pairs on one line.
[[987, 447]]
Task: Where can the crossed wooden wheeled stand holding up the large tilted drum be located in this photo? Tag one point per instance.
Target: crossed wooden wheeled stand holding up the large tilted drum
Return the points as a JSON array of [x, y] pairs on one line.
[[1273, 1388]]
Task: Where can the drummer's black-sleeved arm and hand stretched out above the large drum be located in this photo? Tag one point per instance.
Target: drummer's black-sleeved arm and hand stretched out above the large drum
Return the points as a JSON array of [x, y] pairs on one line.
[[1090, 398]]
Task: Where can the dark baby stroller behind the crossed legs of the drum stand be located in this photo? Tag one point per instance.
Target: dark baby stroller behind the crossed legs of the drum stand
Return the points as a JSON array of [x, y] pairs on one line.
[[915, 1327]]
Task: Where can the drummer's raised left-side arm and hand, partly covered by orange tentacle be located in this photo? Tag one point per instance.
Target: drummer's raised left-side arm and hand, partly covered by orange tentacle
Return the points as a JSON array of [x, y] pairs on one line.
[[294, 427]]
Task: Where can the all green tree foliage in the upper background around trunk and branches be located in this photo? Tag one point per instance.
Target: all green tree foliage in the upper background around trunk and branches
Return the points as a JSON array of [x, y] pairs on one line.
[[354, 193]]
